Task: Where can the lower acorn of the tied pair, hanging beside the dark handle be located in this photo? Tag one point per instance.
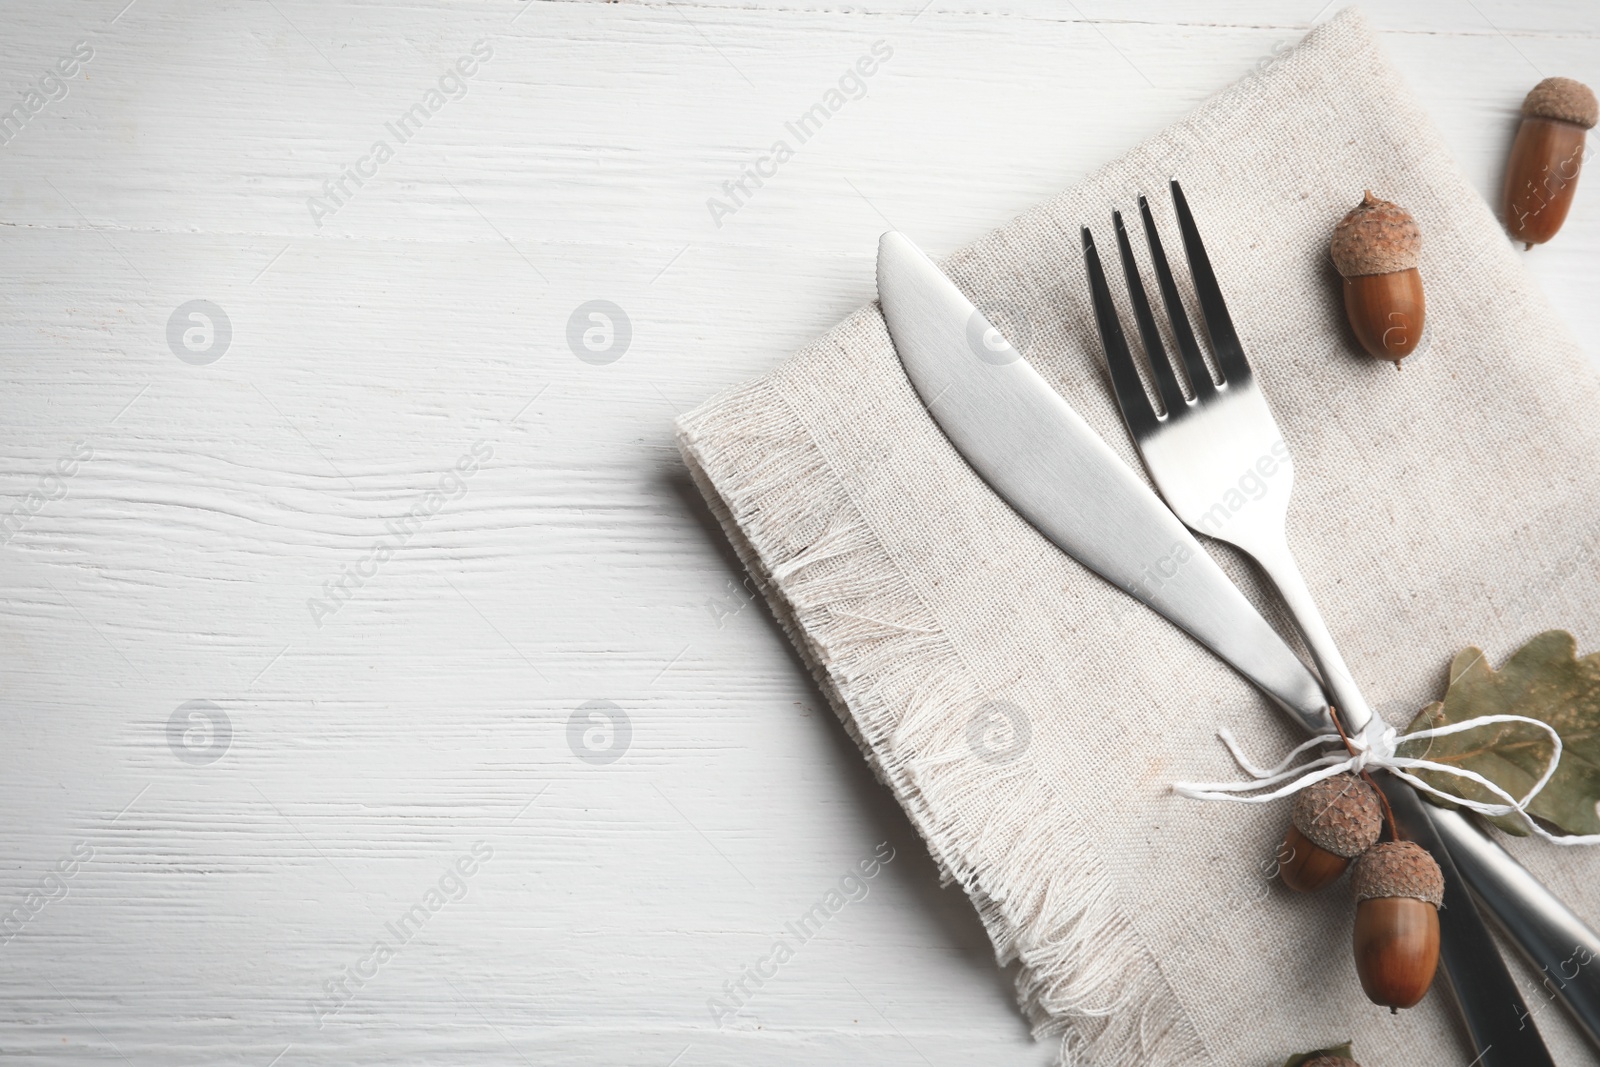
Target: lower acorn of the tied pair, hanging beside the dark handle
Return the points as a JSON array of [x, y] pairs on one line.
[[1398, 890]]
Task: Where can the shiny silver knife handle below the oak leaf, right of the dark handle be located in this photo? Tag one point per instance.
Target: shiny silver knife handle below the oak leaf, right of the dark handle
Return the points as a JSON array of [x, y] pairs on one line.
[[1545, 930]]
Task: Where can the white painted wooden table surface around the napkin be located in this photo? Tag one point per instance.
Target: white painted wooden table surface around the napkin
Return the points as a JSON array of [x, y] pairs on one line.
[[282, 685]]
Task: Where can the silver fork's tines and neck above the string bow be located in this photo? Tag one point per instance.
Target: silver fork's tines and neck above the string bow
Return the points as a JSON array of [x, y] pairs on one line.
[[1217, 455]]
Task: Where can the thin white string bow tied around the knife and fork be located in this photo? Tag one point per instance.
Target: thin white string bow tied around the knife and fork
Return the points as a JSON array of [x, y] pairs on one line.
[[1377, 749]]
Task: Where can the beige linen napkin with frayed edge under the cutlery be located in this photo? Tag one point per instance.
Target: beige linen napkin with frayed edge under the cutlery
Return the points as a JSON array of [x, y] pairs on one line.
[[1031, 717]]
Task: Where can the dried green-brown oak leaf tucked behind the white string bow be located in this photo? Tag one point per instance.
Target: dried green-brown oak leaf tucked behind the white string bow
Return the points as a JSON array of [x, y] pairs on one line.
[[1545, 681]]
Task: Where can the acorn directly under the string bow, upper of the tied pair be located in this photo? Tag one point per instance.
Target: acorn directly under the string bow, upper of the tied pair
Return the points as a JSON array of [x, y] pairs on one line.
[[1334, 821]]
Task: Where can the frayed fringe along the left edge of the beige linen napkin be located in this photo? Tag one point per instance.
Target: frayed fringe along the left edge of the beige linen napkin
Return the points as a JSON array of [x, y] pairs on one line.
[[876, 649]]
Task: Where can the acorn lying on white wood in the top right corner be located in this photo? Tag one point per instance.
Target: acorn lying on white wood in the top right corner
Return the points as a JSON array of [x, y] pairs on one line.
[[1546, 158]]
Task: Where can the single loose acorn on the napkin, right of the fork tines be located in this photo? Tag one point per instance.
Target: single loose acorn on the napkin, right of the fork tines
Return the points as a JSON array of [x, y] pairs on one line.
[[1375, 247]]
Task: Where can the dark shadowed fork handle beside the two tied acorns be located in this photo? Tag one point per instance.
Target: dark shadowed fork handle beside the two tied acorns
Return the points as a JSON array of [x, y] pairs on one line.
[[1498, 1020]]
